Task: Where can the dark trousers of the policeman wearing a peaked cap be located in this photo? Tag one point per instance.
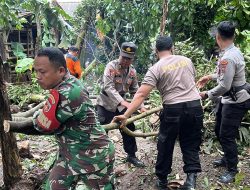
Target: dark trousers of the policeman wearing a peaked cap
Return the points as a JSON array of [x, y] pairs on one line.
[[105, 117]]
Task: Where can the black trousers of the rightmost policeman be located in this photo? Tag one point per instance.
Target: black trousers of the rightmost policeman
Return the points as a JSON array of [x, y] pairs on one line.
[[228, 119]]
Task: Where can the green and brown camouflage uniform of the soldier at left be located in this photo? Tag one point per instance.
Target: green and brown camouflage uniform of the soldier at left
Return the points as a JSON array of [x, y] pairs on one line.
[[85, 151]]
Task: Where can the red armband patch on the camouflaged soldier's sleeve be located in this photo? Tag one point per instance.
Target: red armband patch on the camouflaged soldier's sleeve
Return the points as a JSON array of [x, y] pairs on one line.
[[47, 118]]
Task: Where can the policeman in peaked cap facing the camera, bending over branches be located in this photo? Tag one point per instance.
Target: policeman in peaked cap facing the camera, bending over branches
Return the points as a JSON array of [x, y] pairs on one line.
[[120, 78]]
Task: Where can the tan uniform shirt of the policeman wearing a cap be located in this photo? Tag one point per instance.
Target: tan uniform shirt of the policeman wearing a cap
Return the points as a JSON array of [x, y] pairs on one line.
[[116, 83]]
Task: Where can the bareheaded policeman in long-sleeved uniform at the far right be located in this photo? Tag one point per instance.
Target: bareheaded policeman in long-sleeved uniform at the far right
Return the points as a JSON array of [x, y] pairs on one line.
[[235, 101]]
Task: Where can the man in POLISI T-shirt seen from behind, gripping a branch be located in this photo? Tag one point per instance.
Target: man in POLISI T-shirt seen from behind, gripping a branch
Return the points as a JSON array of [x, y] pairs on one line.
[[174, 77]]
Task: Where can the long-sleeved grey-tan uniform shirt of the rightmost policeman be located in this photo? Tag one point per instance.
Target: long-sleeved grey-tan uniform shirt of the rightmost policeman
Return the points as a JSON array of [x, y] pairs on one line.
[[230, 73]]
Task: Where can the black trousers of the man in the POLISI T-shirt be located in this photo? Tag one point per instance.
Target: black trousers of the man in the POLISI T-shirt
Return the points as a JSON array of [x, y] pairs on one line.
[[184, 120]]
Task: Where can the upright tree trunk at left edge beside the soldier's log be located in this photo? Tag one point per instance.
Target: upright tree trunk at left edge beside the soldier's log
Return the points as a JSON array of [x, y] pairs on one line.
[[12, 169]]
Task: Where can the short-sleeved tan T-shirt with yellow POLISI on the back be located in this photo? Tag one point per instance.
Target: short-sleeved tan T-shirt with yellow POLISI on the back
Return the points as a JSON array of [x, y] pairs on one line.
[[174, 77]]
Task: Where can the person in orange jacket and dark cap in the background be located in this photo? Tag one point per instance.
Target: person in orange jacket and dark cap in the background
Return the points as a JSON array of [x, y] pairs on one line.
[[73, 63]]
